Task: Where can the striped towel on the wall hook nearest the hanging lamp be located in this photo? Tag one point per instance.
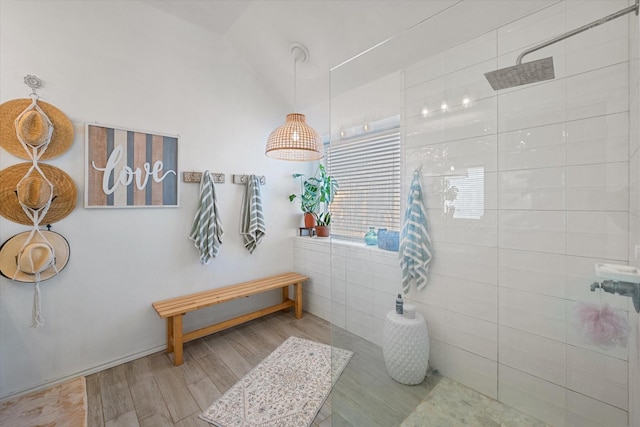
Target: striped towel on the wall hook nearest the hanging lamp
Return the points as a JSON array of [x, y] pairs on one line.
[[252, 227]]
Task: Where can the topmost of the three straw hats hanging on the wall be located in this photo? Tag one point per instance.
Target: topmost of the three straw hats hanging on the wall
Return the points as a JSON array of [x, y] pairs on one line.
[[34, 128]]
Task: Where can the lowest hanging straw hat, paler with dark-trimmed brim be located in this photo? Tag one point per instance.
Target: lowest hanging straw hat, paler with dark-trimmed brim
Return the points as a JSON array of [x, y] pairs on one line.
[[46, 253]]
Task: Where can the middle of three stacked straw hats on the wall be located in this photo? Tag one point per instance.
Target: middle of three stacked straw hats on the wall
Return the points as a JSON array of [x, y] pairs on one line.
[[35, 192]]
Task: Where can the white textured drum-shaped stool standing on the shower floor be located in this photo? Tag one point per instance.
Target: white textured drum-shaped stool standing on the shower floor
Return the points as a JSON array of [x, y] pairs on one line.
[[406, 348]]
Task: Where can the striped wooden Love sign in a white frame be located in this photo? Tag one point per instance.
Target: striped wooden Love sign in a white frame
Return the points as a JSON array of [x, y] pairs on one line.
[[130, 169]]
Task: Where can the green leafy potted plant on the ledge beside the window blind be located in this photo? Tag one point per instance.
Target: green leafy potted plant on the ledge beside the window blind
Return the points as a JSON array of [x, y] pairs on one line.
[[314, 191]]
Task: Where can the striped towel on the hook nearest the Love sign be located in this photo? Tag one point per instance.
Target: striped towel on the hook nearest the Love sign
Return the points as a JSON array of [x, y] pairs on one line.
[[206, 230]]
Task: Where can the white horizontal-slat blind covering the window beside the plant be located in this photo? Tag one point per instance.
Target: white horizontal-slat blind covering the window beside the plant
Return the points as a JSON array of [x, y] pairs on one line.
[[368, 172]]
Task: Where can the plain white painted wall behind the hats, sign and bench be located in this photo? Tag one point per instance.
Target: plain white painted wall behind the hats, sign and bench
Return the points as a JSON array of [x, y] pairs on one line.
[[124, 64]]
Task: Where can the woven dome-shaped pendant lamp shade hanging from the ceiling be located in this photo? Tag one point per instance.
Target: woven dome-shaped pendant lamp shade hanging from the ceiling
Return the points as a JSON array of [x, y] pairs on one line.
[[294, 140]]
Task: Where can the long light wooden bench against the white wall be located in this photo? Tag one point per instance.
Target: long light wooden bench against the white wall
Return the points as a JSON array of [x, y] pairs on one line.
[[175, 308]]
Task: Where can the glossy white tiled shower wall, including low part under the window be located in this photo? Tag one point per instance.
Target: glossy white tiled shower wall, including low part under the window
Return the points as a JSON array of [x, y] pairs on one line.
[[559, 164]]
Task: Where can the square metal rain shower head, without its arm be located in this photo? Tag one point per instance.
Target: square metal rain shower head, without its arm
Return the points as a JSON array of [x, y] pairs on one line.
[[521, 74]]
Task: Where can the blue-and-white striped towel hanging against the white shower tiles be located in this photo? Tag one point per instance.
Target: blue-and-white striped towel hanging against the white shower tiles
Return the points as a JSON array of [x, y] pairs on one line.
[[415, 243]]
